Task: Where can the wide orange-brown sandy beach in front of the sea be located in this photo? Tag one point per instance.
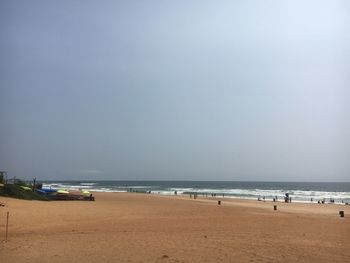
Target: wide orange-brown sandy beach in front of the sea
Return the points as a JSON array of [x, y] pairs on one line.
[[132, 227]]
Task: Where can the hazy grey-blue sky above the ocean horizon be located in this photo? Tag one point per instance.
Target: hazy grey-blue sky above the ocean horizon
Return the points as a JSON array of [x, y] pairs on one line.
[[175, 90]]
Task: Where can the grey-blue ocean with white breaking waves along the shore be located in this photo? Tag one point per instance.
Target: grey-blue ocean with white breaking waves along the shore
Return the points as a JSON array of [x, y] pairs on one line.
[[298, 191]]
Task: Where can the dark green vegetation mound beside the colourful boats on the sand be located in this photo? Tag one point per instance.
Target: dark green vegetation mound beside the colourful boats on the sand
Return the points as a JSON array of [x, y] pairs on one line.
[[16, 191]]
